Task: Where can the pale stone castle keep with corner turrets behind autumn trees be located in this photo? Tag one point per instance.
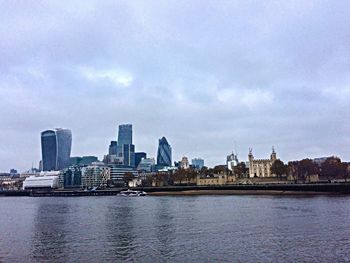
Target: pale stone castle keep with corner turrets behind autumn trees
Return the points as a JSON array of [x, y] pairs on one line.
[[261, 167]]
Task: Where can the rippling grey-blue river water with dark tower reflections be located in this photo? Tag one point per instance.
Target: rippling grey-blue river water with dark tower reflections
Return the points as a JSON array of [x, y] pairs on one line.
[[175, 229]]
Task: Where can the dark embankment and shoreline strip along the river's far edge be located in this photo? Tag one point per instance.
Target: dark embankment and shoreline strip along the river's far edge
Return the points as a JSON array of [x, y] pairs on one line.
[[266, 189]]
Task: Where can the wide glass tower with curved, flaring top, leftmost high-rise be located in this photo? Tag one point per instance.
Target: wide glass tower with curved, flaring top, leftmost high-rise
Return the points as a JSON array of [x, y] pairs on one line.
[[55, 148]]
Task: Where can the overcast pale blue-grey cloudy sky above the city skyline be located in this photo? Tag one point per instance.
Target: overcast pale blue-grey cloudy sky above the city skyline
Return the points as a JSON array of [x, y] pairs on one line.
[[211, 76]]
